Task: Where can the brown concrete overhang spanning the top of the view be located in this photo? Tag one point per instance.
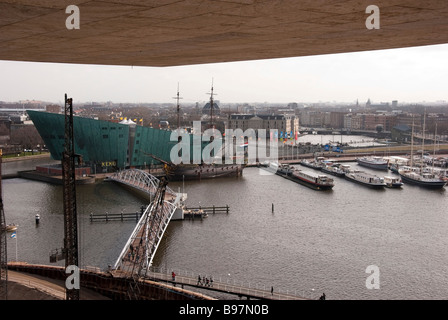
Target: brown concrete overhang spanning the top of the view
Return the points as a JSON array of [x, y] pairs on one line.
[[183, 32]]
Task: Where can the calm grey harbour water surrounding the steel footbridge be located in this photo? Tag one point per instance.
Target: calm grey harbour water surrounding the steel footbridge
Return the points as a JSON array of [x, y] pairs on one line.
[[313, 240]]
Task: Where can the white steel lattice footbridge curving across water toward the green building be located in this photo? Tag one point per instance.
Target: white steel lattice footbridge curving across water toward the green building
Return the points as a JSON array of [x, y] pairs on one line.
[[137, 255]]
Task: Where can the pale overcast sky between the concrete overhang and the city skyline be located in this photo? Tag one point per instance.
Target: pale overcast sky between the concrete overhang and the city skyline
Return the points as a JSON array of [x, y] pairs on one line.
[[407, 75]]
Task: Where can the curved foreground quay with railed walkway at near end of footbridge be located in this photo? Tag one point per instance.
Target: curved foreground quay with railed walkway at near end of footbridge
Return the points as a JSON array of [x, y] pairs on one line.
[[100, 285]]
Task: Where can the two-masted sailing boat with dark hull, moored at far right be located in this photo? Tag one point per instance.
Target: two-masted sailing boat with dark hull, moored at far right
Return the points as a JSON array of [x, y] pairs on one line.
[[418, 176]]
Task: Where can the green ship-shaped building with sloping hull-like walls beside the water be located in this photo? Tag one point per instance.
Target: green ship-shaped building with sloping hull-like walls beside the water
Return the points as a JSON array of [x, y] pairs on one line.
[[104, 146]]
